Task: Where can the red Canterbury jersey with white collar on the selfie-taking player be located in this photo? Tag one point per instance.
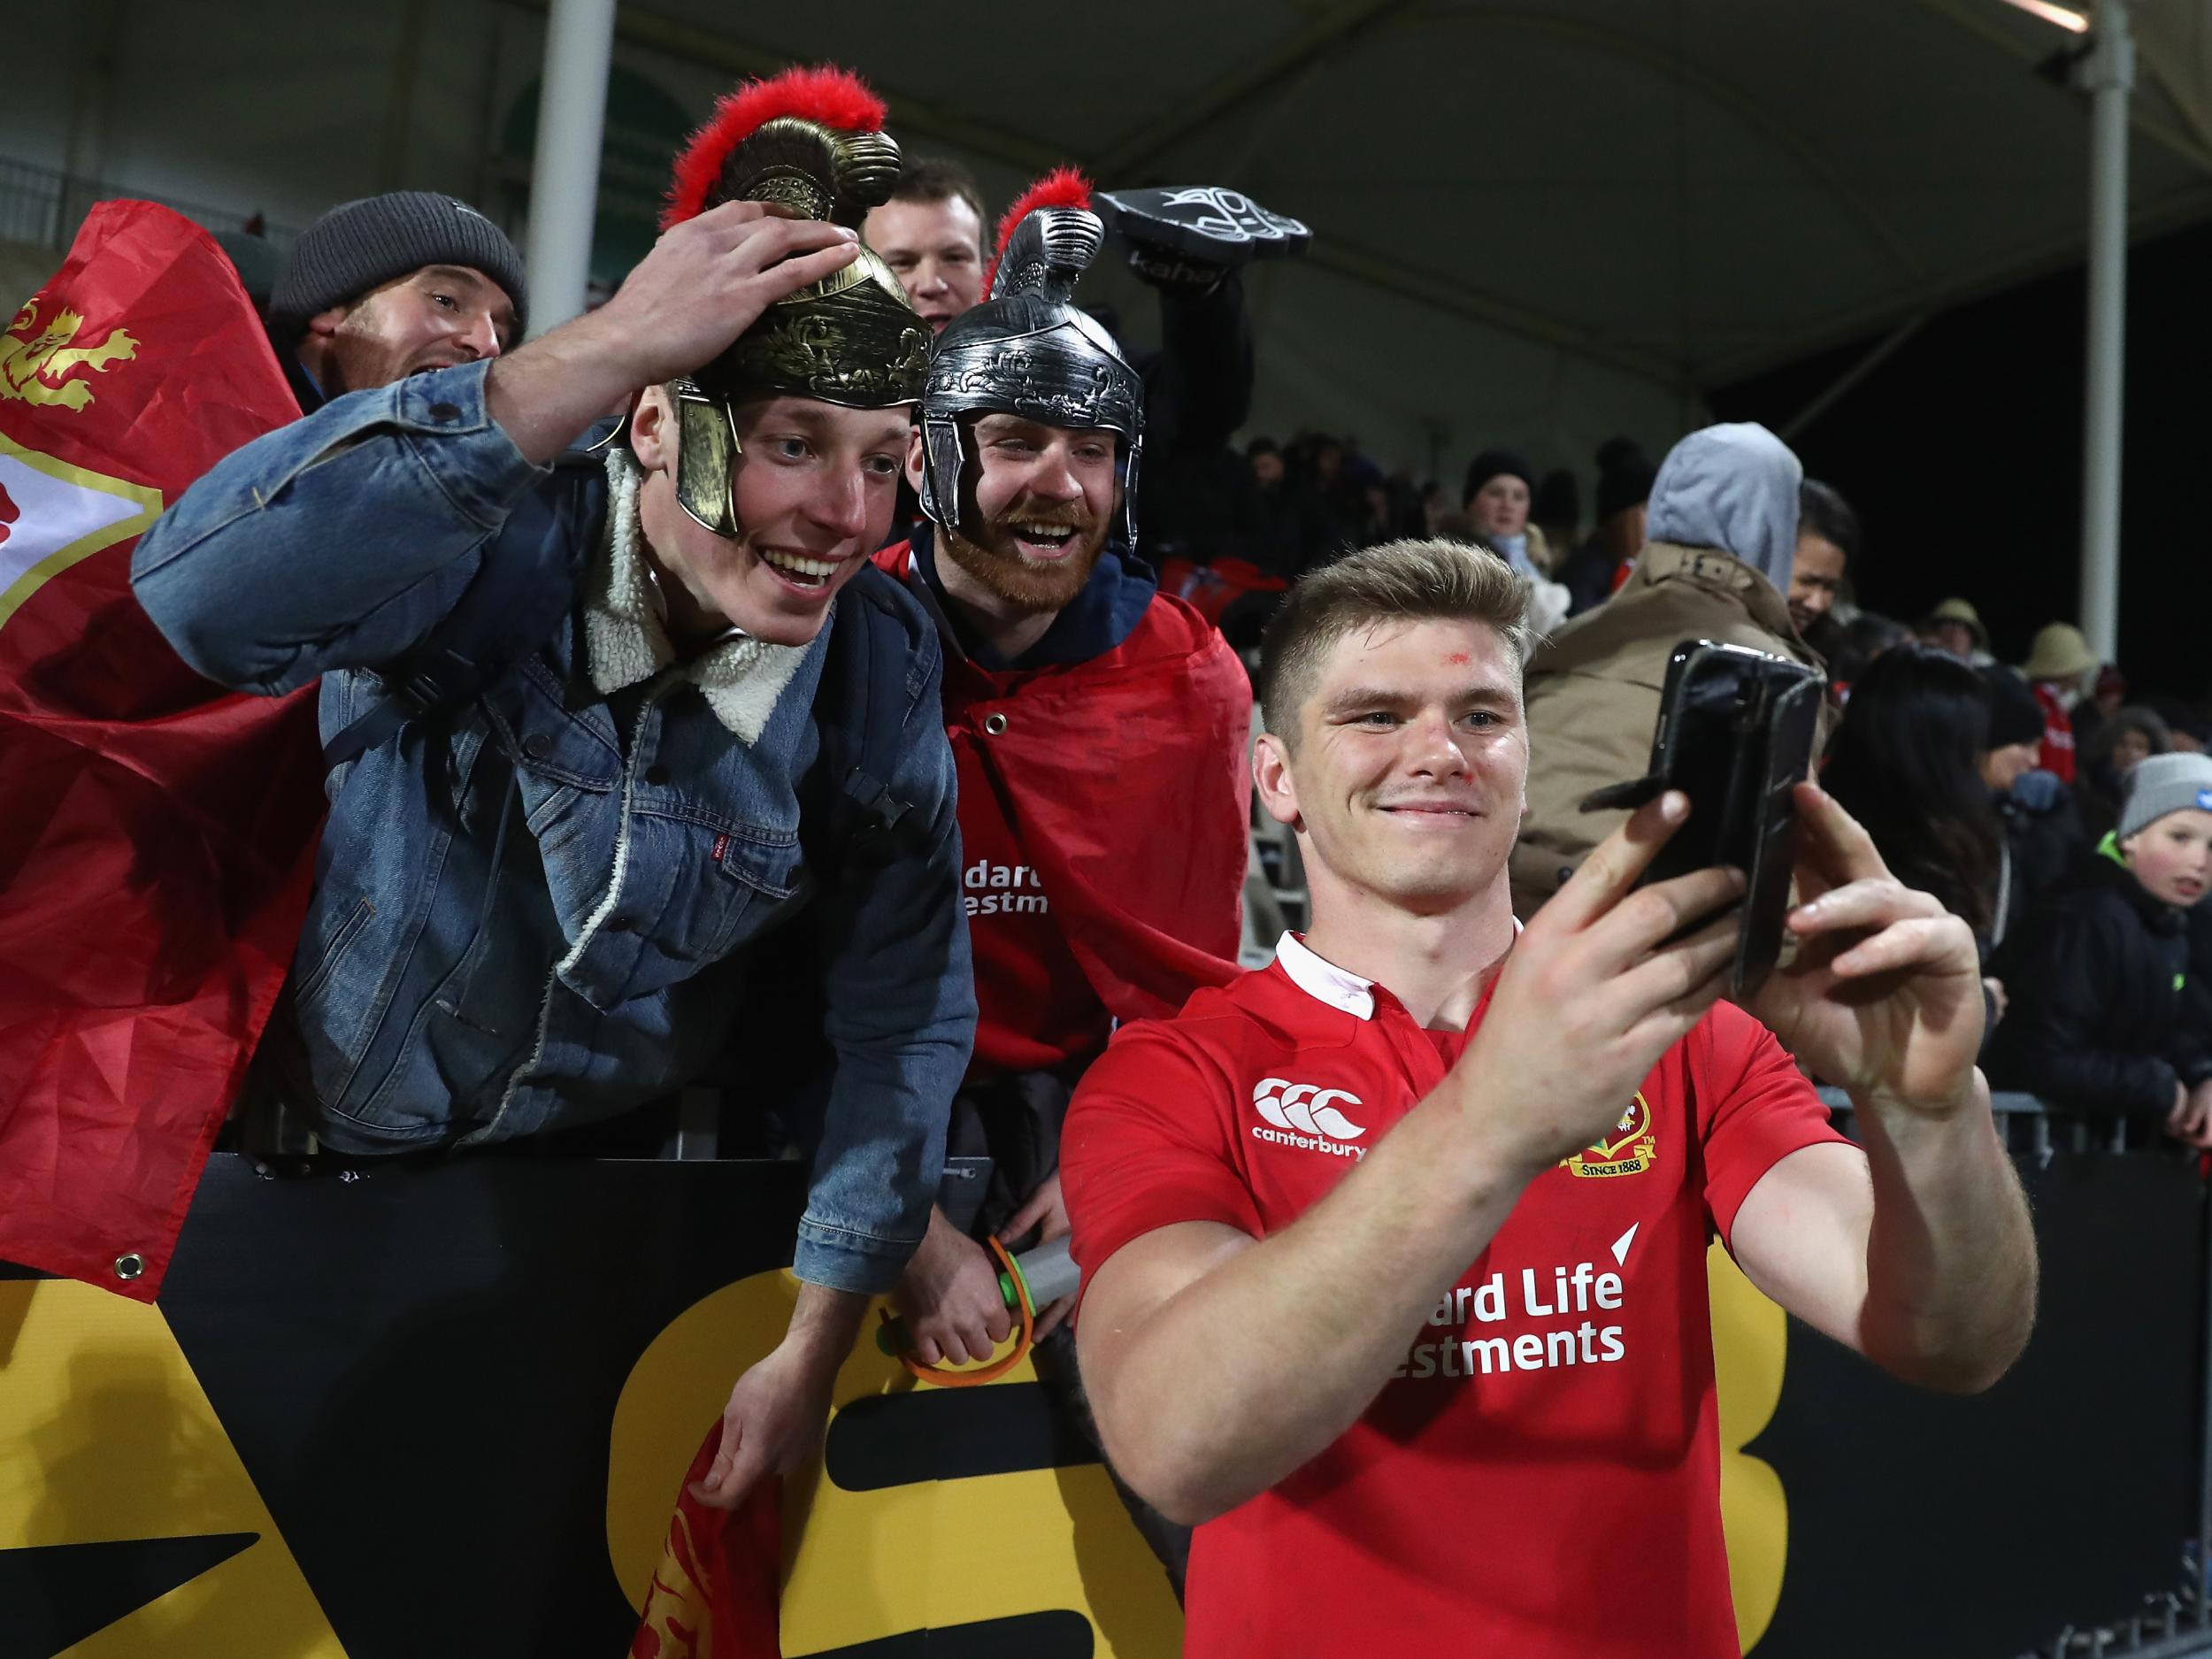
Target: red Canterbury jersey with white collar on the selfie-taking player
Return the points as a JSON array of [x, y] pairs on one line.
[[1543, 1474]]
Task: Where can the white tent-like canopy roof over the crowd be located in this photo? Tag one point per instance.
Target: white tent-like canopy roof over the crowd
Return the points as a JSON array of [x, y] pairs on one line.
[[1534, 222]]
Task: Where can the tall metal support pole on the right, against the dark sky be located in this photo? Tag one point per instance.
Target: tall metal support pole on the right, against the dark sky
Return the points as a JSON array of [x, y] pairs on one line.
[[2109, 76]]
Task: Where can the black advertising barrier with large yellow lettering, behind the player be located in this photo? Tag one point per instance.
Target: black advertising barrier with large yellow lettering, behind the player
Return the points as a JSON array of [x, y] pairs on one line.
[[444, 1412]]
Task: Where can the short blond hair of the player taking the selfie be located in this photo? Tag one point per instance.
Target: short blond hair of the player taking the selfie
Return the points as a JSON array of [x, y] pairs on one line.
[[1392, 583]]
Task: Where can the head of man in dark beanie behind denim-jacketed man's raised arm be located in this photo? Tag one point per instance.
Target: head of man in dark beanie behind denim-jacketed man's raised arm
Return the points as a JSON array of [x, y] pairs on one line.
[[393, 286]]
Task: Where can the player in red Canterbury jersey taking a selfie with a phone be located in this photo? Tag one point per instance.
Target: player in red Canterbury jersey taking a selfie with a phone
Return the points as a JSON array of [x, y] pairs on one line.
[[1395, 1253]]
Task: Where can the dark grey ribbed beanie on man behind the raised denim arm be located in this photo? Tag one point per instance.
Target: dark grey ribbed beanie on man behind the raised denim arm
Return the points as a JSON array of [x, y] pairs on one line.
[[359, 247]]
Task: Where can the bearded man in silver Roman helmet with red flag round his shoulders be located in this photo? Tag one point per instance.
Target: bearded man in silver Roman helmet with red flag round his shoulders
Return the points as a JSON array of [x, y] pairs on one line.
[[1100, 733]]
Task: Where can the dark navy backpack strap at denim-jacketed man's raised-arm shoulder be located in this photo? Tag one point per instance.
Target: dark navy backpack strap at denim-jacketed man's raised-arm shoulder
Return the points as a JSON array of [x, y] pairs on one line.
[[517, 603]]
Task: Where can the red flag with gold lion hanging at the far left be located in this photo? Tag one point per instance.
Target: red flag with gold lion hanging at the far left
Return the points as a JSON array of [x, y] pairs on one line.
[[156, 831]]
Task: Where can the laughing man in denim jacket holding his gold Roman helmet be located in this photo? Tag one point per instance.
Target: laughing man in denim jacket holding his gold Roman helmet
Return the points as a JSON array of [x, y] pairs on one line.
[[550, 906]]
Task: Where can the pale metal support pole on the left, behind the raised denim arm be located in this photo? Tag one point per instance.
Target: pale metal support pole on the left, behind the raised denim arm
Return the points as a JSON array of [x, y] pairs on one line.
[[565, 169]]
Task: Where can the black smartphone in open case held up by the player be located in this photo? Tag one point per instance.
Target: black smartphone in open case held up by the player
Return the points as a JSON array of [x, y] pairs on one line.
[[1735, 735]]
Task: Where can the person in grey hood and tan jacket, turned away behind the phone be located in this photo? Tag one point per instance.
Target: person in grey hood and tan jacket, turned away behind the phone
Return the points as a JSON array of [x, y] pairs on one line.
[[1722, 534]]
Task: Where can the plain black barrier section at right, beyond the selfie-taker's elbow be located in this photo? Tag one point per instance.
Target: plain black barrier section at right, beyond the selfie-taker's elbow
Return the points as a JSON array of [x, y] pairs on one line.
[[1930, 1525]]
